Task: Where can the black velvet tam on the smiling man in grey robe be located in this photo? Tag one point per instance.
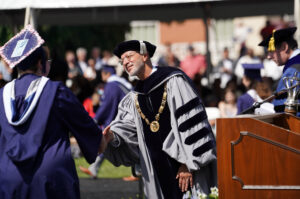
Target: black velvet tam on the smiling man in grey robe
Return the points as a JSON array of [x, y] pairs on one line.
[[141, 47]]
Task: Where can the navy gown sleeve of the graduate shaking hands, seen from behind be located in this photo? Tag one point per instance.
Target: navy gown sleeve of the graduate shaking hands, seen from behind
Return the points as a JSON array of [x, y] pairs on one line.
[[79, 123]]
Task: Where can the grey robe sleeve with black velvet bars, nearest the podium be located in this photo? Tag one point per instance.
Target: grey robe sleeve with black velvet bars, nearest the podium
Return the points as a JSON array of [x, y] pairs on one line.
[[191, 140]]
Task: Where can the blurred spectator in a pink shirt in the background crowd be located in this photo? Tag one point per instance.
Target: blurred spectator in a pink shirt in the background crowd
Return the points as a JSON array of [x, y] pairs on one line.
[[193, 63]]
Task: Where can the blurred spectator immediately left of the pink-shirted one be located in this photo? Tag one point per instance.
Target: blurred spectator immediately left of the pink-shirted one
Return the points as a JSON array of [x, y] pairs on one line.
[[168, 58]]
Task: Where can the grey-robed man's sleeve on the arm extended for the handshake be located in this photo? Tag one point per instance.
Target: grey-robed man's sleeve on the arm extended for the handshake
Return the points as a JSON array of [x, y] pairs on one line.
[[127, 153]]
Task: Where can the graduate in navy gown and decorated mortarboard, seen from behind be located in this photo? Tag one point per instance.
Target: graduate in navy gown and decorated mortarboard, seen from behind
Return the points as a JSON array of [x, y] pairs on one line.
[[37, 115]]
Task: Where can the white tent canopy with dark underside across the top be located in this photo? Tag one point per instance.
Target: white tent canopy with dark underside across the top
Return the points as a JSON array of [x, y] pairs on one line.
[[77, 12]]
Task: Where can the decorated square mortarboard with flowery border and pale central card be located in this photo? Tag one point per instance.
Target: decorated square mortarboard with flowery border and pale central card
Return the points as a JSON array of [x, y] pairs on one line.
[[21, 46]]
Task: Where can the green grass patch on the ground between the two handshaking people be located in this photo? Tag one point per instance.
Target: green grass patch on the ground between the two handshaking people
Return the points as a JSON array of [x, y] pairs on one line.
[[107, 170]]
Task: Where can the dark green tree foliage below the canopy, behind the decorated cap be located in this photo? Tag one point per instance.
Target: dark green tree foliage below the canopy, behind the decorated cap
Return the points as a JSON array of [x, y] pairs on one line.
[[62, 38]]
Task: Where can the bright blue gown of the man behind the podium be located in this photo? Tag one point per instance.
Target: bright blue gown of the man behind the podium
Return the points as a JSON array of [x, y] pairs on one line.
[[292, 66]]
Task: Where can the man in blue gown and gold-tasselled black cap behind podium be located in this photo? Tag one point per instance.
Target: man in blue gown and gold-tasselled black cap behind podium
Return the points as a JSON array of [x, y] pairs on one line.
[[283, 50]]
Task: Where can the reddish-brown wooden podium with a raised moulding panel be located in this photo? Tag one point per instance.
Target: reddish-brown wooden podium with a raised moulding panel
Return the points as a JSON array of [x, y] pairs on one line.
[[258, 156]]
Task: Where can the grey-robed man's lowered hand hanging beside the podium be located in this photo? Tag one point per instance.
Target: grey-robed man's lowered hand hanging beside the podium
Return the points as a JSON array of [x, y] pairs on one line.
[[185, 178]]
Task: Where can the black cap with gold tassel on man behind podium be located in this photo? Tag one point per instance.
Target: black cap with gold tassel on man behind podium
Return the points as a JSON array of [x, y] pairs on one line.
[[277, 37]]
